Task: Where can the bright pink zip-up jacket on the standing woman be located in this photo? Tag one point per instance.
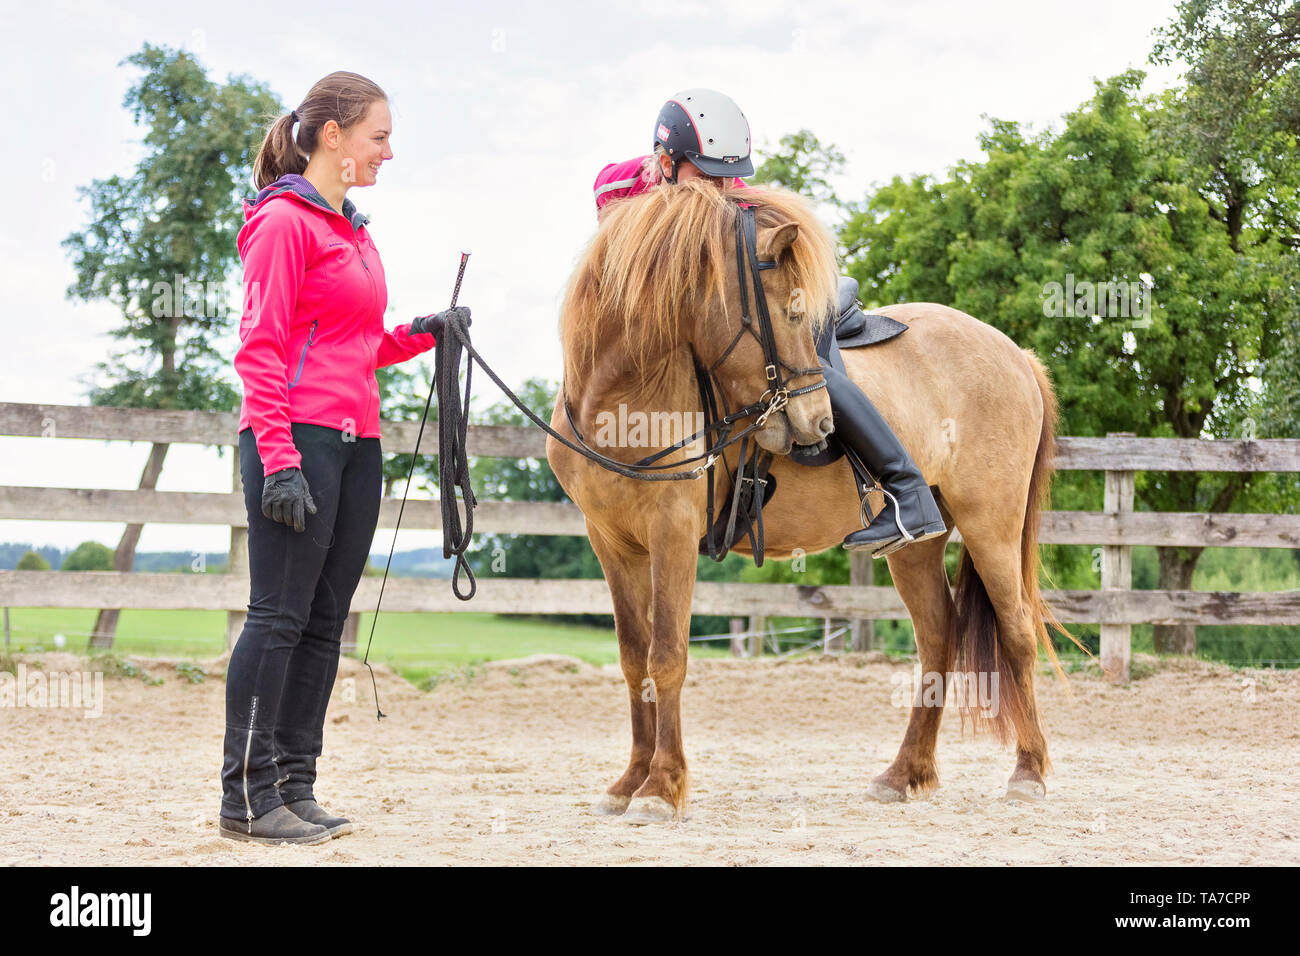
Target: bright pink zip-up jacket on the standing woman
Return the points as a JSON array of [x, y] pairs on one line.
[[313, 327]]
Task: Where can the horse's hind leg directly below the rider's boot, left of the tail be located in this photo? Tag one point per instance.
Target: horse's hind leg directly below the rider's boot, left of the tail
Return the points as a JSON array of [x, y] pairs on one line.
[[922, 582]]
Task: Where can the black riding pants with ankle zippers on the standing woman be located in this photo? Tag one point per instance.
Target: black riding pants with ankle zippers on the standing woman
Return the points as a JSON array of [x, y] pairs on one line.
[[284, 665]]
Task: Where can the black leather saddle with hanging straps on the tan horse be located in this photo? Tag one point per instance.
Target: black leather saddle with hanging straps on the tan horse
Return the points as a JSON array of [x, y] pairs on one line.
[[853, 330]]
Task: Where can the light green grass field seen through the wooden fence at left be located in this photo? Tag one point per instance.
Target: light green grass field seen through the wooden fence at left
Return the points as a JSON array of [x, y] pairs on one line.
[[421, 647]]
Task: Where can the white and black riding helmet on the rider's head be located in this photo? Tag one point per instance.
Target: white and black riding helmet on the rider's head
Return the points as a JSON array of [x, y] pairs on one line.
[[708, 129]]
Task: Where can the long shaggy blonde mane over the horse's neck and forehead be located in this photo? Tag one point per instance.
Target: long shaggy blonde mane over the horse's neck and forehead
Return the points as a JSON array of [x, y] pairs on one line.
[[664, 256]]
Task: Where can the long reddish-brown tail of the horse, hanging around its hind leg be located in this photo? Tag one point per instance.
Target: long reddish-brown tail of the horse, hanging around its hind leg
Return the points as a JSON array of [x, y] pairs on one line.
[[976, 621]]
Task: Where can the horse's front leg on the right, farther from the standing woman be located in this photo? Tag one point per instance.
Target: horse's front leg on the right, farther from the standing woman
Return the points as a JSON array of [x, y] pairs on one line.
[[673, 582]]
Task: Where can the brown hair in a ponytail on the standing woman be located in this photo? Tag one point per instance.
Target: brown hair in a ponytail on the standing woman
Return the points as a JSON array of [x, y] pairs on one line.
[[341, 97]]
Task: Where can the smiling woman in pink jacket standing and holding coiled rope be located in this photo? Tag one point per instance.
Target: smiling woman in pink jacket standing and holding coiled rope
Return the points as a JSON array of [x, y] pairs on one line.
[[311, 338]]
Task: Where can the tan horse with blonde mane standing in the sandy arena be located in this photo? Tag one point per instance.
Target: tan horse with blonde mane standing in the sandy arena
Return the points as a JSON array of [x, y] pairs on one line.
[[656, 292]]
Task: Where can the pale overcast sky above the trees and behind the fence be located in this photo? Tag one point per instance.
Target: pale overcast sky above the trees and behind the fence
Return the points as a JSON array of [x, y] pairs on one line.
[[504, 114]]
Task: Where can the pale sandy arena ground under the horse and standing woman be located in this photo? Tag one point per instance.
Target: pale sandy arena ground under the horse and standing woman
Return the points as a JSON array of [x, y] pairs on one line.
[[1178, 768]]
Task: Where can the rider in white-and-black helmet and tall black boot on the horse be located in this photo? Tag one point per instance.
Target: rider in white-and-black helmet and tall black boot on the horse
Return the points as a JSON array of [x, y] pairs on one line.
[[704, 135]]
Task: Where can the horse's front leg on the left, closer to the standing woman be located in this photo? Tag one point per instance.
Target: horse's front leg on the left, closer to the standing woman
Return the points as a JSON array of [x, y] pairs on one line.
[[629, 577]]
